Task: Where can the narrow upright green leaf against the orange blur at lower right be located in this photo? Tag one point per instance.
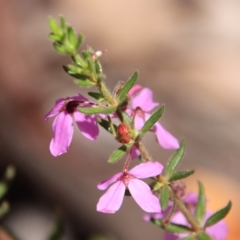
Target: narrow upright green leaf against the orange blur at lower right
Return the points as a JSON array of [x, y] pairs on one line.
[[200, 209]]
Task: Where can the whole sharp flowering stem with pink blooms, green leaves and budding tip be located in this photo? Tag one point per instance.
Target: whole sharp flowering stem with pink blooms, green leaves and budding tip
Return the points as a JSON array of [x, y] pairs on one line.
[[128, 113]]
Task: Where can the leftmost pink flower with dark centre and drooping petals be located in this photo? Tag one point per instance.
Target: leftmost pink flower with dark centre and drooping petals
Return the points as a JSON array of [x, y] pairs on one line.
[[66, 111]]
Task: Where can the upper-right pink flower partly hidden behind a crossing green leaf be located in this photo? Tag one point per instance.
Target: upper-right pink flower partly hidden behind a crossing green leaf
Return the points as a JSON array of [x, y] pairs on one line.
[[144, 100]]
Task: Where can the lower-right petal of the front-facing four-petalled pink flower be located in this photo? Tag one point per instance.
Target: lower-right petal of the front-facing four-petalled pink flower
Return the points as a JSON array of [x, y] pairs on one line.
[[142, 194]]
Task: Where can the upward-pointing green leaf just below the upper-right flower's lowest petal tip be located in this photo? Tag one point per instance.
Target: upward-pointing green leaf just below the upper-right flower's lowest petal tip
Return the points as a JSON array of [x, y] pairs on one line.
[[175, 160]]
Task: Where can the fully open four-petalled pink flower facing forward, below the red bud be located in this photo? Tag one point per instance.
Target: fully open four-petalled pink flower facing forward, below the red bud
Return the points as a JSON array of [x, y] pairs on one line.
[[112, 200]]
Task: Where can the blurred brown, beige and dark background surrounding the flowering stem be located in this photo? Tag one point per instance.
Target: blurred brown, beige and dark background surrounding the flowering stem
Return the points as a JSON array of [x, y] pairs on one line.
[[187, 51]]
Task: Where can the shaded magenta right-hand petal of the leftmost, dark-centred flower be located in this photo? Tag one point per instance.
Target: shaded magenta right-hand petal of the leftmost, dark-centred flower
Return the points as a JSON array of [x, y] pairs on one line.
[[87, 125]]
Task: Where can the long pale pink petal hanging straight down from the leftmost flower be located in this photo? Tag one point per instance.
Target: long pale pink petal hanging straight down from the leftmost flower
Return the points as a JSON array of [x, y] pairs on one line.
[[63, 132]]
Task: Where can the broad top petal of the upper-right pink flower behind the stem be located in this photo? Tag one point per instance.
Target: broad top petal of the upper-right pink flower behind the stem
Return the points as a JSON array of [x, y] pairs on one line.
[[144, 100]]
